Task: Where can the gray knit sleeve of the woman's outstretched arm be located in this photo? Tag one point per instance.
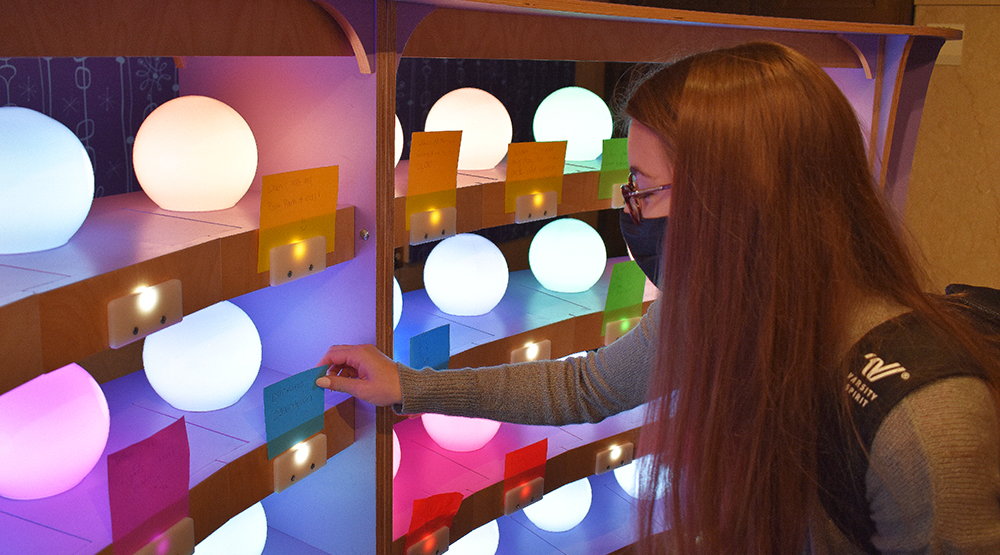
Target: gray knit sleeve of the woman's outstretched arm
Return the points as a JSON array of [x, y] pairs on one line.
[[581, 389]]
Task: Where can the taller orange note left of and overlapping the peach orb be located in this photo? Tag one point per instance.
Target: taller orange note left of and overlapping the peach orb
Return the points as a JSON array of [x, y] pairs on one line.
[[433, 171]]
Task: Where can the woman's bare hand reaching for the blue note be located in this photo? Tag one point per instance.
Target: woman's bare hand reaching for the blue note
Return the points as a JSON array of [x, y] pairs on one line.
[[363, 372]]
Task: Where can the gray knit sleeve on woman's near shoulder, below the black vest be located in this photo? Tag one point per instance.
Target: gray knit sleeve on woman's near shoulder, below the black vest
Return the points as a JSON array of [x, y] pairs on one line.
[[934, 477]]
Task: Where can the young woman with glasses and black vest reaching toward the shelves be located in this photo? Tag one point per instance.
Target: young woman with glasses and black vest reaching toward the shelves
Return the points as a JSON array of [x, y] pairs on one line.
[[783, 276]]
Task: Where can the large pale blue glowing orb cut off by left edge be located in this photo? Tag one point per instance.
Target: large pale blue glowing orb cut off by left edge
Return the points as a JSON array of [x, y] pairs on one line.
[[46, 182]]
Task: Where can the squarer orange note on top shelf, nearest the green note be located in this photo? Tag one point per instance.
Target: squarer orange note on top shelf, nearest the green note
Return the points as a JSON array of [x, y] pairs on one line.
[[534, 168]]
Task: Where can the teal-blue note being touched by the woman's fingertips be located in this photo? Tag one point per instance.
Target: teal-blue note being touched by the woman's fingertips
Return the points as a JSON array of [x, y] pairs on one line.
[[293, 410]]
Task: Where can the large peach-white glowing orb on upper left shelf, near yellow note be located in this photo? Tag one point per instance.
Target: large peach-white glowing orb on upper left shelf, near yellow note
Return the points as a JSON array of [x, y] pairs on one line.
[[194, 154]]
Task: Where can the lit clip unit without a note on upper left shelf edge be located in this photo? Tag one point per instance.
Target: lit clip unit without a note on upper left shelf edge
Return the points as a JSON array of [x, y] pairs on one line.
[[146, 310]]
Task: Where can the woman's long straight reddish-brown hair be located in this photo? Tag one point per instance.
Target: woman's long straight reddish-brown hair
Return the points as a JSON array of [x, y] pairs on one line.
[[776, 232]]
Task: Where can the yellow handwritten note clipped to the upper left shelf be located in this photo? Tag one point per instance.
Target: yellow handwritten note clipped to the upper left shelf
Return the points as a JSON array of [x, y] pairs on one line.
[[295, 206]]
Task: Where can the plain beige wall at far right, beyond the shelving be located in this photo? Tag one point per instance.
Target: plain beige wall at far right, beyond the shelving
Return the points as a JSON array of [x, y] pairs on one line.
[[953, 204]]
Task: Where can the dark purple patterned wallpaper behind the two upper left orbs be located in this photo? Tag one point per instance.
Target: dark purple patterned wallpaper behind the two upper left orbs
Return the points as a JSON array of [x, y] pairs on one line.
[[102, 100]]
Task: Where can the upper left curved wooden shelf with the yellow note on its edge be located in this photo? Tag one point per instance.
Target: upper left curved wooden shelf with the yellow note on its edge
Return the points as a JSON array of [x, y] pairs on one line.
[[53, 304]]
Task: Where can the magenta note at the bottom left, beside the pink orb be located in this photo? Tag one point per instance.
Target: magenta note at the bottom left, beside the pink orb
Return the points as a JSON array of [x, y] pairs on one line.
[[148, 487]]
